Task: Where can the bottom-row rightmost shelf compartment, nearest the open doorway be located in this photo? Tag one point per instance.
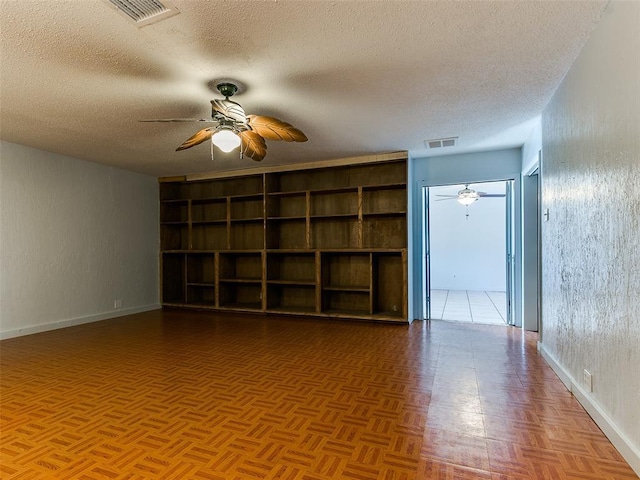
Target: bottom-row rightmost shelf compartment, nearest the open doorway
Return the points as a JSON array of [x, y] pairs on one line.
[[388, 298]]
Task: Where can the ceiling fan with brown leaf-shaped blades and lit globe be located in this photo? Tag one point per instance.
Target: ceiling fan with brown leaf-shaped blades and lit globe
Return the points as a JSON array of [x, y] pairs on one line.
[[234, 128]]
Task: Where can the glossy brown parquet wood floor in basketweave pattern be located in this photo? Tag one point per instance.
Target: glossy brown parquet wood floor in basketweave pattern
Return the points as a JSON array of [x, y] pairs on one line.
[[177, 395]]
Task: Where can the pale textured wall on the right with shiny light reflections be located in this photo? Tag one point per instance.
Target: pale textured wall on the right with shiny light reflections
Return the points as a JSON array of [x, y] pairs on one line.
[[591, 243]]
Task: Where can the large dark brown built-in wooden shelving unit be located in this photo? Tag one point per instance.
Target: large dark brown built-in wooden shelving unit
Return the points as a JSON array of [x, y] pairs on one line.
[[319, 240]]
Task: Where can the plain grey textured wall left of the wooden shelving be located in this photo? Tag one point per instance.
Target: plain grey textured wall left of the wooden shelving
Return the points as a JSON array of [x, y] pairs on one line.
[[75, 237]]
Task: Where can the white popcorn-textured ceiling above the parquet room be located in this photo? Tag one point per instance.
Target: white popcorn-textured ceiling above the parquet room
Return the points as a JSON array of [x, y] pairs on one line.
[[357, 77]]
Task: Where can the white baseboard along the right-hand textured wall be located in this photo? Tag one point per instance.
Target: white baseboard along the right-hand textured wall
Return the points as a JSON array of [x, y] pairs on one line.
[[627, 449]]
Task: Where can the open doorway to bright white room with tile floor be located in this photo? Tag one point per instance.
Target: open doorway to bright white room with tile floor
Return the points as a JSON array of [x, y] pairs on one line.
[[468, 245]]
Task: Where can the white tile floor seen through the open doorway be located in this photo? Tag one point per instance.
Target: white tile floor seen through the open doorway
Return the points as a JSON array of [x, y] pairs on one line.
[[469, 306]]
